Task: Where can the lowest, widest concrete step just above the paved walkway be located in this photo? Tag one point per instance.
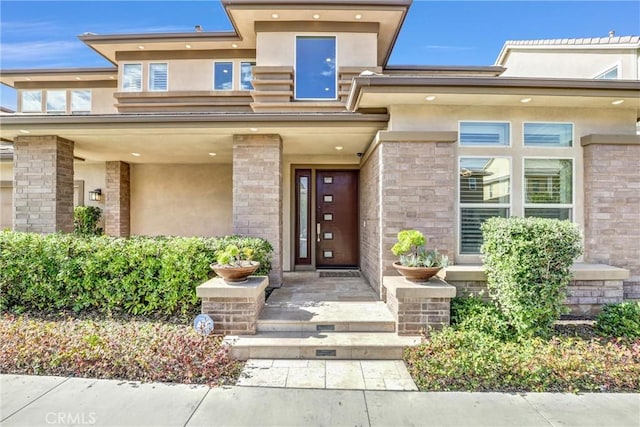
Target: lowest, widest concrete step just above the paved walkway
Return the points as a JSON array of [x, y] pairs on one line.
[[323, 345]]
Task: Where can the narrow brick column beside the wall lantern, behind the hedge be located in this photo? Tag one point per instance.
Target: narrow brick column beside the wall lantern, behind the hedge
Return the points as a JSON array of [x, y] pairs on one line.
[[117, 199]]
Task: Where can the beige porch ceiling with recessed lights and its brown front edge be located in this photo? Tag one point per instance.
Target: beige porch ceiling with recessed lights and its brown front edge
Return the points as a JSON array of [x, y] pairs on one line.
[[191, 142]]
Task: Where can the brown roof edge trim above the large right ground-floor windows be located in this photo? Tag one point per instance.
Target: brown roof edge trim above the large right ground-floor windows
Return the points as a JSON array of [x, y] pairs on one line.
[[390, 82]]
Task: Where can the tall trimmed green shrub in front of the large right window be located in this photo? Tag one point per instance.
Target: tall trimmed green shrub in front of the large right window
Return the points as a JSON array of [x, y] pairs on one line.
[[527, 263]]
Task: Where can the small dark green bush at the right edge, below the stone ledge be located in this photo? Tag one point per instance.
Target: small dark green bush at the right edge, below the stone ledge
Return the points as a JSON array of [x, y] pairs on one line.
[[620, 320]]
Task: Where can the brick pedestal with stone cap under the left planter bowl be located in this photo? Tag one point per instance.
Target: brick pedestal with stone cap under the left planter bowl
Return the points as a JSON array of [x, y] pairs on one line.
[[233, 308]]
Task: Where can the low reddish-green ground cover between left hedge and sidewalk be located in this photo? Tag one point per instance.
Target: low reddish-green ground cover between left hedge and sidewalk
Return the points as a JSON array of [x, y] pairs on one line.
[[131, 350]]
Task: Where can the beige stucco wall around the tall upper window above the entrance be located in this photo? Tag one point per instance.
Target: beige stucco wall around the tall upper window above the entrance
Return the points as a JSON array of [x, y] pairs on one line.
[[353, 49]]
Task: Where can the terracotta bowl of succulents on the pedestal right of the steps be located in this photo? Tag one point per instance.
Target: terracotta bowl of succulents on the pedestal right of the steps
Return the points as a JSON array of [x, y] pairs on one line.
[[417, 264]]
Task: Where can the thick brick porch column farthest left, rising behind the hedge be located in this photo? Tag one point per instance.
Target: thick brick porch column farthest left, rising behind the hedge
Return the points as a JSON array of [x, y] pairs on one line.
[[43, 184]]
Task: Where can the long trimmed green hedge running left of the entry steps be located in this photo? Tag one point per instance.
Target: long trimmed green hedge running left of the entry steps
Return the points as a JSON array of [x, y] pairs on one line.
[[138, 275]]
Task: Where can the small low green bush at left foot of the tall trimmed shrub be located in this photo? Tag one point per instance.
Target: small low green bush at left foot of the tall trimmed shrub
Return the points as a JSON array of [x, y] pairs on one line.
[[472, 313]]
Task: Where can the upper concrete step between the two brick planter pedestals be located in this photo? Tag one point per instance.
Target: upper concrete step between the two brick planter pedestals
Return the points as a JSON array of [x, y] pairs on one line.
[[326, 316]]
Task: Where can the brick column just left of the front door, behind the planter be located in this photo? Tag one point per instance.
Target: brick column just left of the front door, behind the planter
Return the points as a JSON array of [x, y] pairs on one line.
[[257, 193]]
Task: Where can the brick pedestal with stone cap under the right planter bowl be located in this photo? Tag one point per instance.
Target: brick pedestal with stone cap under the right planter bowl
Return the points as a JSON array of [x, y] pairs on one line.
[[418, 308]]
